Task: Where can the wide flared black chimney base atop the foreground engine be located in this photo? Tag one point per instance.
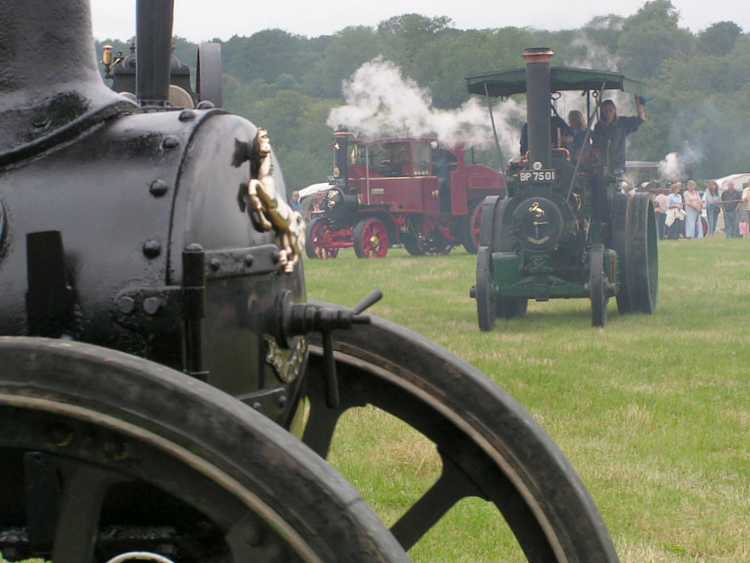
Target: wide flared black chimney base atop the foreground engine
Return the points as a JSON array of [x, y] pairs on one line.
[[50, 86]]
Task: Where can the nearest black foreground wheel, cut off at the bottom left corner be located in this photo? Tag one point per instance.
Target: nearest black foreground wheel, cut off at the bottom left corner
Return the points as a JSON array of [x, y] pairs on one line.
[[103, 454]]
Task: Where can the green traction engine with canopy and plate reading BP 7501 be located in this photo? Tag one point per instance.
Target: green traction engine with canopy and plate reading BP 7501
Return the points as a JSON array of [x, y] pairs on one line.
[[565, 229]]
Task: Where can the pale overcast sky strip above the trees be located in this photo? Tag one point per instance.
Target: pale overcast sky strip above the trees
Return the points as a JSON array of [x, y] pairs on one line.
[[206, 19]]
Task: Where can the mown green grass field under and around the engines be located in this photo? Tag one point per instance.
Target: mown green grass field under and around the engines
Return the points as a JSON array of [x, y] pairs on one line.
[[653, 411]]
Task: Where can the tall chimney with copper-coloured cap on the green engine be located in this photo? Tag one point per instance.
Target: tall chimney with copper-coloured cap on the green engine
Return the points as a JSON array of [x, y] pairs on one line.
[[538, 93]]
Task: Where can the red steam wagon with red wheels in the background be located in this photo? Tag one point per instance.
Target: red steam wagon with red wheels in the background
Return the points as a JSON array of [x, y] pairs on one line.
[[411, 191]]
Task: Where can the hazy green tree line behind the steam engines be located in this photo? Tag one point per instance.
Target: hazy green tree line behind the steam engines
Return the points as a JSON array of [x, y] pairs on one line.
[[698, 83]]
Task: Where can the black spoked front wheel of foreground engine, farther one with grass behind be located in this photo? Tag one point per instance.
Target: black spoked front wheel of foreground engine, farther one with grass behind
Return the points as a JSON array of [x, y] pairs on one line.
[[489, 446]]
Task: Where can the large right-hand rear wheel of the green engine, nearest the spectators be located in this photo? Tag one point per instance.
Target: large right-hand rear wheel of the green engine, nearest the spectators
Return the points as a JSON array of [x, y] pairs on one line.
[[641, 255]]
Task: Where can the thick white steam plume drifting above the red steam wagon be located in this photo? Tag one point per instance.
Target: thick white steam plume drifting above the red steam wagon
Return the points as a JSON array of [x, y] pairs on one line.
[[381, 101]]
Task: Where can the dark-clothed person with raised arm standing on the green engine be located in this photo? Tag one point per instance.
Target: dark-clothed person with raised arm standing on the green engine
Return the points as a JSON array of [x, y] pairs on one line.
[[611, 132]]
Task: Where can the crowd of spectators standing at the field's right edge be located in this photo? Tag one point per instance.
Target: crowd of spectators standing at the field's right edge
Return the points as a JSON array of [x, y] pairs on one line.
[[684, 212]]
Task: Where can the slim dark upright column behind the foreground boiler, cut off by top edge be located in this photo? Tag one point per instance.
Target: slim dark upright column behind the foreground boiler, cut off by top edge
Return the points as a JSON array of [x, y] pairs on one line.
[[153, 35]]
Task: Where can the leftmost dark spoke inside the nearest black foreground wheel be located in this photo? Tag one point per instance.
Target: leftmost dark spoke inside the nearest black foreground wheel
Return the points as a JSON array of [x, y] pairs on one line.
[[80, 507]]
